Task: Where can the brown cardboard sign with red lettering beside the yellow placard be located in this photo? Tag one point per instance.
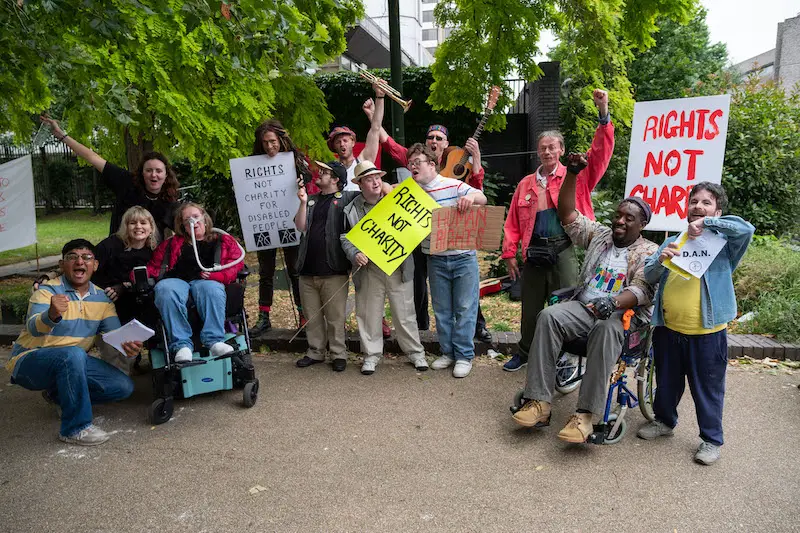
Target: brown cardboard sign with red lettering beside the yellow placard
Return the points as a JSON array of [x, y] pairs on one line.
[[478, 228]]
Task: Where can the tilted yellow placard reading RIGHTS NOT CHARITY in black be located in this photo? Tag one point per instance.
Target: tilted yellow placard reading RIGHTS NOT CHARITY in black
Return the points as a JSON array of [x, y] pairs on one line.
[[393, 228]]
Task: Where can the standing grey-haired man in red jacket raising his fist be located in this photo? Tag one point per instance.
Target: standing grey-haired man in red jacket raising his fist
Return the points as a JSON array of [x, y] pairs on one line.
[[549, 258]]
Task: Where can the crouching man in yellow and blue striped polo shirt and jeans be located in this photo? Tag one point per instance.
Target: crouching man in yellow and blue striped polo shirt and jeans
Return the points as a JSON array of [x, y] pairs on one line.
[[64, 316]]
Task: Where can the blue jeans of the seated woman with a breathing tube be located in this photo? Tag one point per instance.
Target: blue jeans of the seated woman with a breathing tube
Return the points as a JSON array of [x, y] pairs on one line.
[[209, 298]]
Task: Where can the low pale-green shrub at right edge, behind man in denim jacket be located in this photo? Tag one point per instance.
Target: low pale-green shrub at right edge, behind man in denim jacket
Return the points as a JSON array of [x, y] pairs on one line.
[[767, 283]]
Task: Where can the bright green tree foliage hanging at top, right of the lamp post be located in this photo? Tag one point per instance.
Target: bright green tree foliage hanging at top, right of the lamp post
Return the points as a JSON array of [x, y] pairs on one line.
[[492, 39]]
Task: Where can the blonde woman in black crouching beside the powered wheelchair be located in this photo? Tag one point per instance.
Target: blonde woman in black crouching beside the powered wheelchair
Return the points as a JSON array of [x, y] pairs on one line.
[[132, 246]]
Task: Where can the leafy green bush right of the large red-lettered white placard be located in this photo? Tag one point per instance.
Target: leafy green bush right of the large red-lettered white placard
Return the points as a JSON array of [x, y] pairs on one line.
[[761, 173]]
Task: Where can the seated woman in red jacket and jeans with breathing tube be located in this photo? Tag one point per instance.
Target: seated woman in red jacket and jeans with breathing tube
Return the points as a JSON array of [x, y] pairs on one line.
[[176, 264]]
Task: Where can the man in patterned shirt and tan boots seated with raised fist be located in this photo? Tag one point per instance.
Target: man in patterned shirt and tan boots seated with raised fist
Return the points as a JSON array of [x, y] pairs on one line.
[[613, 281]]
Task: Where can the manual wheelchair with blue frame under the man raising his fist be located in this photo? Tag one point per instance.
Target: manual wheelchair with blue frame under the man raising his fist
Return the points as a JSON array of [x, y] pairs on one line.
[[636, 353]]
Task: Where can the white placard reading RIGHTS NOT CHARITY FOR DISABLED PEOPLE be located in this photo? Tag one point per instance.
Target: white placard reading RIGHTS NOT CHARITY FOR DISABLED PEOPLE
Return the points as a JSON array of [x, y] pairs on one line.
[[266, 195]]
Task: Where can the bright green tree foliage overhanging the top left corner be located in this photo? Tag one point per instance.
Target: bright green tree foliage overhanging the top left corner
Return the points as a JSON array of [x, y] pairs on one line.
[[193, 77]]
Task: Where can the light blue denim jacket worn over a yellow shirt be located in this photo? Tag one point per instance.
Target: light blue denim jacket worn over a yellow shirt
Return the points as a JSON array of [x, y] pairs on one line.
[[717, 297]]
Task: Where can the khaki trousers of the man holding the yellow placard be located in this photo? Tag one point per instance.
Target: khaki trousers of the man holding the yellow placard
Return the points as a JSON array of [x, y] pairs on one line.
[[374, 287]]
